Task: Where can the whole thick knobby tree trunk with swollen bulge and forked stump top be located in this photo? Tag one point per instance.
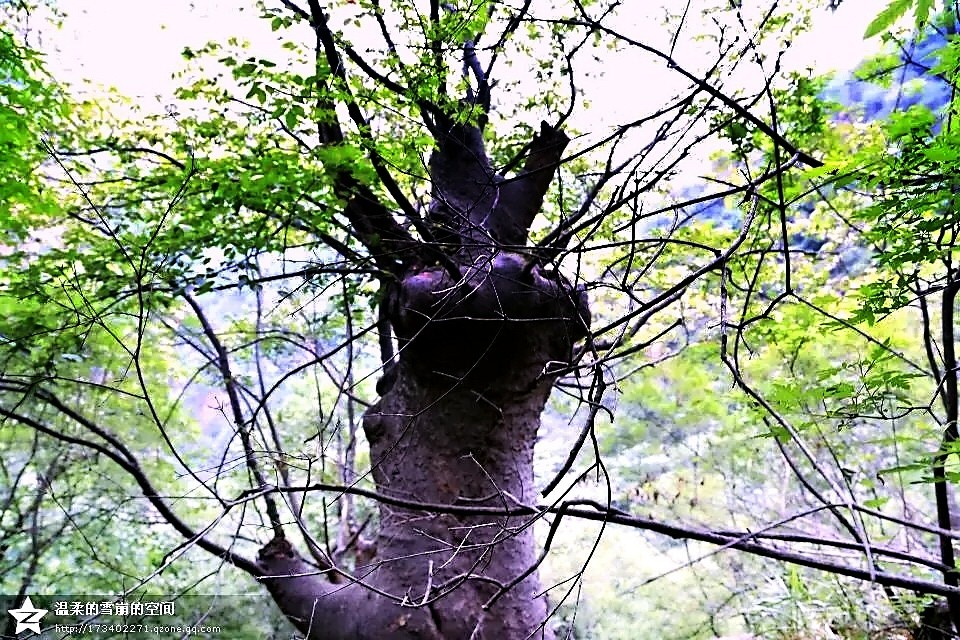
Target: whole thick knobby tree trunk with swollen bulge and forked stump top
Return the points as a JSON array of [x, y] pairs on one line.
[[456, 422]]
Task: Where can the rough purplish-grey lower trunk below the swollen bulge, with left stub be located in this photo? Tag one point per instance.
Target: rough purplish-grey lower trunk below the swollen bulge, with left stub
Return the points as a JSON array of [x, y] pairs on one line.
[[445, 436]]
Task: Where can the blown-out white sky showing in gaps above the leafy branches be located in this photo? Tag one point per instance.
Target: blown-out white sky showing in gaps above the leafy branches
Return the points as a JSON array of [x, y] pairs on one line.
[[135, 45]]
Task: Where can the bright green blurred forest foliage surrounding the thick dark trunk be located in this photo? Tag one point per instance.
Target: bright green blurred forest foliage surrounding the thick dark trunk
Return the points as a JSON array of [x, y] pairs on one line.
[[763, 416]]
